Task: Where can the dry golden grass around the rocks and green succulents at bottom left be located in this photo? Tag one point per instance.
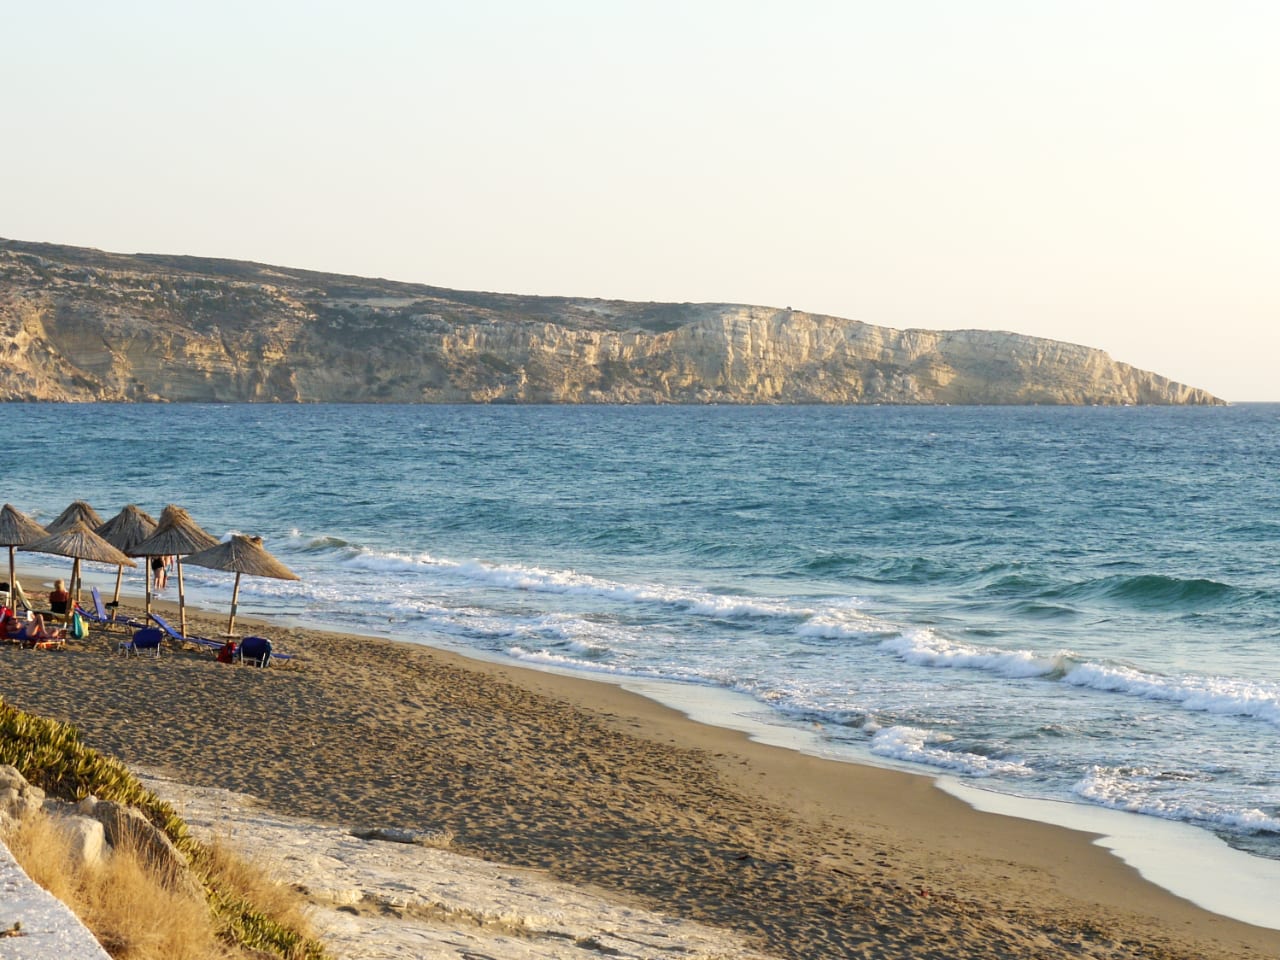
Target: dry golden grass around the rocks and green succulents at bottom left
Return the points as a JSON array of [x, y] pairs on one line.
[[136, 913]]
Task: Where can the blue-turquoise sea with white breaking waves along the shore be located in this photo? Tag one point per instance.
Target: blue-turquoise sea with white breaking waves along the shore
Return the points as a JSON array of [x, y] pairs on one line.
[[1067, 604]]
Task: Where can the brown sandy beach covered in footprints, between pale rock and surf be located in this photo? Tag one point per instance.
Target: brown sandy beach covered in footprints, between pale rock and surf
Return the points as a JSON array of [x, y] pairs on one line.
[[607, 790]]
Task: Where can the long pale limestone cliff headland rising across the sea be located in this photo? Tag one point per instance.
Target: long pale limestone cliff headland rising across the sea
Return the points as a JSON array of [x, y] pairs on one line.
[[85, 326]]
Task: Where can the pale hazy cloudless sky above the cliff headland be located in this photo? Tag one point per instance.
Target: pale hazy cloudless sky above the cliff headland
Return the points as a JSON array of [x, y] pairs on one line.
[[1098, 172]]
